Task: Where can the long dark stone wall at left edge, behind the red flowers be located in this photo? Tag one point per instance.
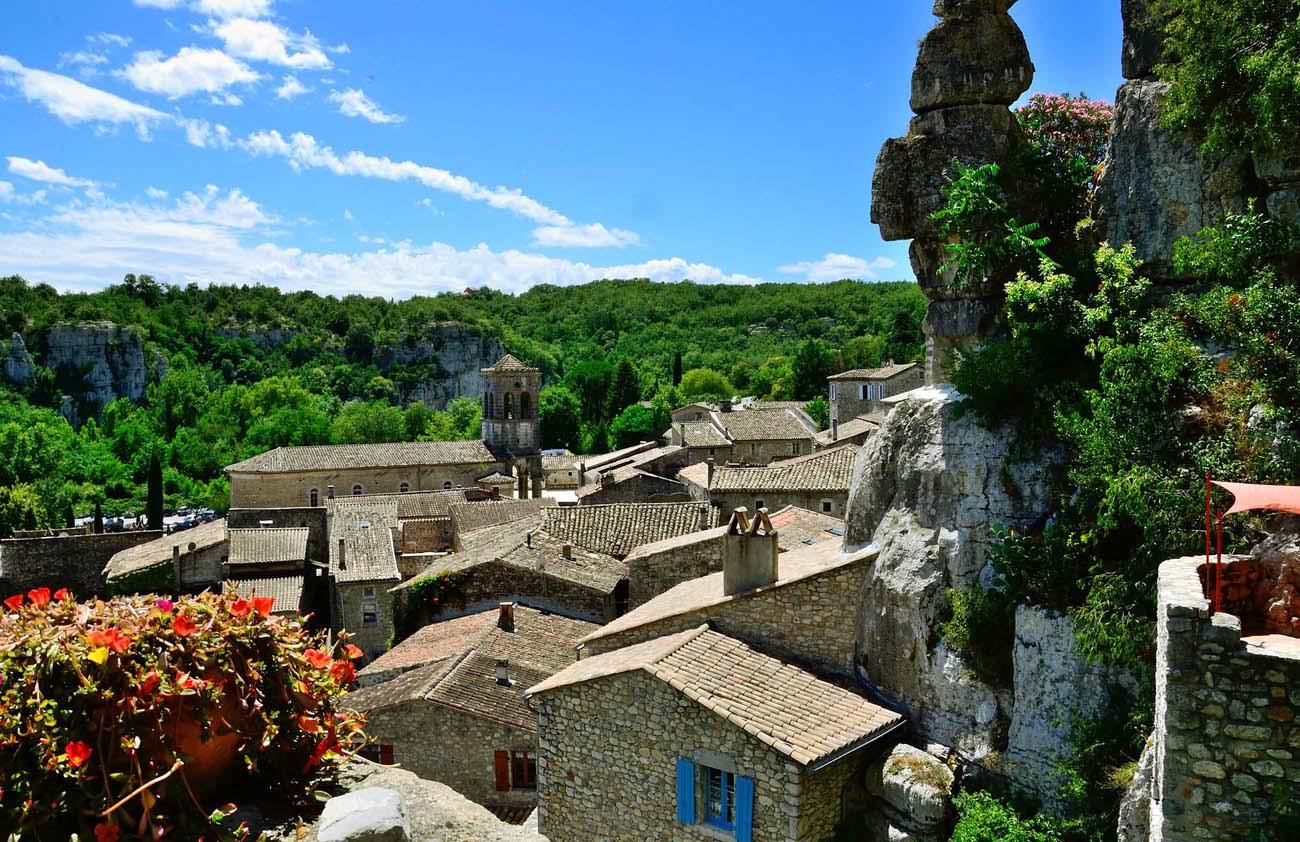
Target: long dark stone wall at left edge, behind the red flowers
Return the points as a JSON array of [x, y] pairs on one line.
[[76, 562]]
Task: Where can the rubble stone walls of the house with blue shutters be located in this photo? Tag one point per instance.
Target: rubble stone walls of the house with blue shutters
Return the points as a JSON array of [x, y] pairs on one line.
[[616, 741]]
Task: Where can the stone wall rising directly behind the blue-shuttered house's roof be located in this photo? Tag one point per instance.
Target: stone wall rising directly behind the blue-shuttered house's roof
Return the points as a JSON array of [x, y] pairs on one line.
[[812, 622]]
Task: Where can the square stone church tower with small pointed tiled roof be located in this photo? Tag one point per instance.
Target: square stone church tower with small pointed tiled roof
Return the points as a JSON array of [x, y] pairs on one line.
[[510, 419]]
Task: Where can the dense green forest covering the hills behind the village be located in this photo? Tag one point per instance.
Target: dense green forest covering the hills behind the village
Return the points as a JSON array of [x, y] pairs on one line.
[[604, 349]]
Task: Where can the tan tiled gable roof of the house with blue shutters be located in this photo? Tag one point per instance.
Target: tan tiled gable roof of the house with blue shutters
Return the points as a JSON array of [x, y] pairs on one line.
[[788, 709]]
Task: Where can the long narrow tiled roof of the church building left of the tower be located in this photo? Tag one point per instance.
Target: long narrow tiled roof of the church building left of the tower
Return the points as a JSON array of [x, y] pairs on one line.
[[353, 457]]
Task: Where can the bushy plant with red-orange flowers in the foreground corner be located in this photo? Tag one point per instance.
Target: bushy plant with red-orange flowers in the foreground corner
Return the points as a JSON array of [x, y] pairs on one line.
[[138, 717]]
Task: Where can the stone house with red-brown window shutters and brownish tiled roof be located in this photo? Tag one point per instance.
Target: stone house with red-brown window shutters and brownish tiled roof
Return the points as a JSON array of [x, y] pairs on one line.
[[448, 704]]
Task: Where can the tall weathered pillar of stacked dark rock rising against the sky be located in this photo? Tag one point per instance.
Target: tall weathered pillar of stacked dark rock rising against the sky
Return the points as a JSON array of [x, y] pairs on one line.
[[970, 70]]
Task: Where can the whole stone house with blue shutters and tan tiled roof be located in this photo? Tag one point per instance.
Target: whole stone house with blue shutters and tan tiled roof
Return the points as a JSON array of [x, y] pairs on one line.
[[697, 736]]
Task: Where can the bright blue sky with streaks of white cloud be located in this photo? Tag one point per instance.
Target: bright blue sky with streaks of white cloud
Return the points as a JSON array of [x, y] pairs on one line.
[[397, 147]]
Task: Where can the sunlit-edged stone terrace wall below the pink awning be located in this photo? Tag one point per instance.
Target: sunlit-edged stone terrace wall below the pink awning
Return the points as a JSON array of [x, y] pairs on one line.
[[1227, 743]]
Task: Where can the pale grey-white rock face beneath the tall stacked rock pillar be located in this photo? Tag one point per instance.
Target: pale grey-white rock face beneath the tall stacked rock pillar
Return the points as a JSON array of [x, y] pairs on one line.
[[930, 487]]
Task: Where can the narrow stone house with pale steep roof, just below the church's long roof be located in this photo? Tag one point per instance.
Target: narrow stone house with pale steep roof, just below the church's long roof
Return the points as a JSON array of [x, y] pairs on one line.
[[363, 567]]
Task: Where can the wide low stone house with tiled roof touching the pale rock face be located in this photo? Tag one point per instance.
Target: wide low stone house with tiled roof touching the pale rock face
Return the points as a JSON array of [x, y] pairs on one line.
[[818, 483]]
